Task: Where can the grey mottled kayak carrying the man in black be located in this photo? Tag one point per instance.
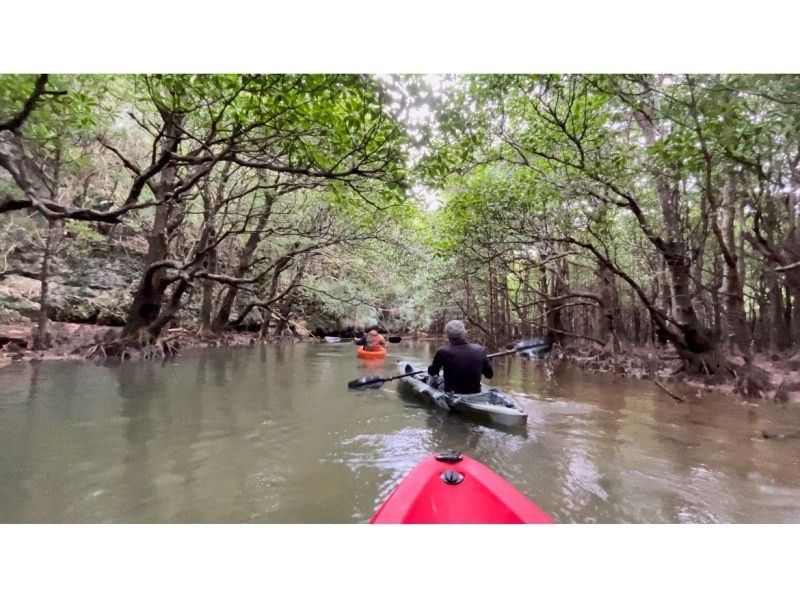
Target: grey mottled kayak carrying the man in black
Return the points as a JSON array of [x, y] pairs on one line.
[[489, 406]]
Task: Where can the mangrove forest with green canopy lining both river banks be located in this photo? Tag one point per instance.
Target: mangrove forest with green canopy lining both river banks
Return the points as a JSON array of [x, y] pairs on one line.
[[650, 222]]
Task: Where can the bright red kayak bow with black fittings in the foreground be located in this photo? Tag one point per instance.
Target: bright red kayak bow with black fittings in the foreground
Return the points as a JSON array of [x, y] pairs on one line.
[[452, 488]]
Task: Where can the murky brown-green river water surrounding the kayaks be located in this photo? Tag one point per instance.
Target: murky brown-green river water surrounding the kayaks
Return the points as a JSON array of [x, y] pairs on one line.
[[271, 434]]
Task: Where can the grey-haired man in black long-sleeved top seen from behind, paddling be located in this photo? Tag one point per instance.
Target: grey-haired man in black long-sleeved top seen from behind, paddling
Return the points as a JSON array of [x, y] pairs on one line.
[[463, 362]]
